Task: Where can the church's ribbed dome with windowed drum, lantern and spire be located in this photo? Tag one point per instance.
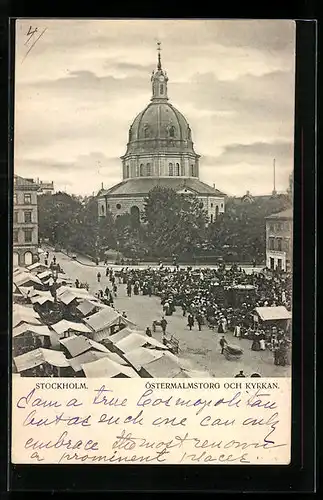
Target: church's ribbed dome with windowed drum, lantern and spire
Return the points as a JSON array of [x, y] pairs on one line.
[[160, 141]]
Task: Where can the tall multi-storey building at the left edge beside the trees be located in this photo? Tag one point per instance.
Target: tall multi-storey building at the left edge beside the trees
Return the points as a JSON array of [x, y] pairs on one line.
[[25, 221]]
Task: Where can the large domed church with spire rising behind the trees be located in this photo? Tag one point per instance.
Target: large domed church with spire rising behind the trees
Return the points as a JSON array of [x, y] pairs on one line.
[[160, 152]]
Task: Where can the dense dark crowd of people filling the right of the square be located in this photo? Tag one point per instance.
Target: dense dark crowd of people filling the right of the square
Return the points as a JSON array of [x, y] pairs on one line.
[[223, 299]]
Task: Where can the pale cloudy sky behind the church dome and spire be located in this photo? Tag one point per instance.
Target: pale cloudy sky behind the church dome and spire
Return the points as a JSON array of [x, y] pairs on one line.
[[79, 84]]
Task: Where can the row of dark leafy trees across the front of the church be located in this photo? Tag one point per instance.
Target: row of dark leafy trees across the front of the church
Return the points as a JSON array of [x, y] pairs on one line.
[[170, 225]]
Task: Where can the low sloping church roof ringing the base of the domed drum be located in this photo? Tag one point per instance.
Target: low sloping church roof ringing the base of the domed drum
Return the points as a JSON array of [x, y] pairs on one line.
[[142, 185]]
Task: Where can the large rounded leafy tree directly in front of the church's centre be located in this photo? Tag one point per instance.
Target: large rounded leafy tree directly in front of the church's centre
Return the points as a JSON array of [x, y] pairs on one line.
[[175, 223]]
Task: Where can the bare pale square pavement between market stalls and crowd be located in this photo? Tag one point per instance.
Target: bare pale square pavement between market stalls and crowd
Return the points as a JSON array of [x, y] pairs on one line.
[[199, 350]]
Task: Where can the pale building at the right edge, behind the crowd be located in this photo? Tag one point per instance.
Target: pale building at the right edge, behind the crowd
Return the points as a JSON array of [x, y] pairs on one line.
[[279, 240]]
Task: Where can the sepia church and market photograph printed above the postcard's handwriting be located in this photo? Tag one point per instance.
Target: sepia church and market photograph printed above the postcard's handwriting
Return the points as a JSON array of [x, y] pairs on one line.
[[153, 198]]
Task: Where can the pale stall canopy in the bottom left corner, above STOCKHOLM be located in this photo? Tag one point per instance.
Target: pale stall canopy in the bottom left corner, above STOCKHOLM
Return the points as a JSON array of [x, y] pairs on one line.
[[36, 357]]
